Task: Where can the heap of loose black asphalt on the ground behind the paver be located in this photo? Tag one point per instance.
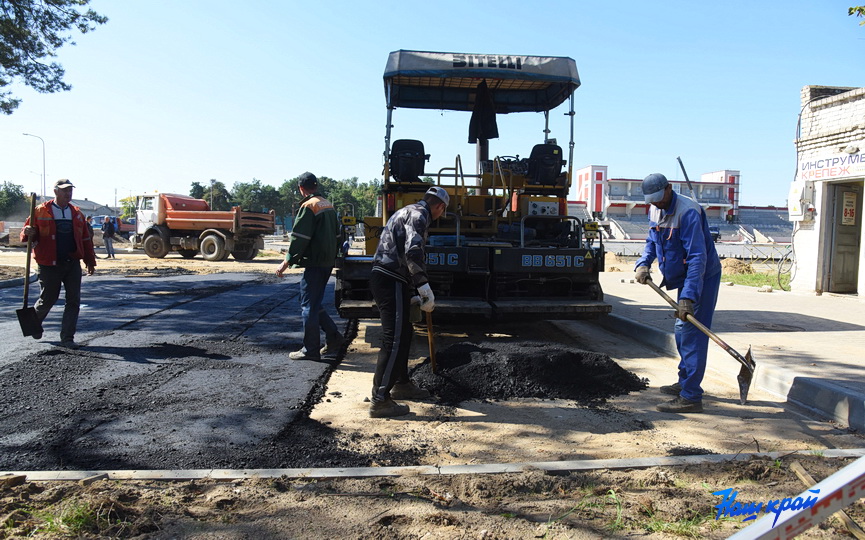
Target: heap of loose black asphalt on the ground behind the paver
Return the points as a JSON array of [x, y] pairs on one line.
[[505, 369]]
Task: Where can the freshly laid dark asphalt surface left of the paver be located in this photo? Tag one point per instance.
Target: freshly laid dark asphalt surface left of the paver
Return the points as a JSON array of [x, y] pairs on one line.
[[197, 364]]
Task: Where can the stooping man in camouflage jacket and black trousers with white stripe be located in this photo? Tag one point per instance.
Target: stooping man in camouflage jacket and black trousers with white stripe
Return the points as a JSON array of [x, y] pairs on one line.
[[398, 270]]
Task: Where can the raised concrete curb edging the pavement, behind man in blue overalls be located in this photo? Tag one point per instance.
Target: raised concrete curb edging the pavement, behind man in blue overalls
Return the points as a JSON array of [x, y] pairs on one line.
[[828, 400]]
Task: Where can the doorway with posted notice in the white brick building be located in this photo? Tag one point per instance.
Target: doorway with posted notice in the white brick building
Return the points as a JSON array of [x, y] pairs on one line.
[[846, 237]]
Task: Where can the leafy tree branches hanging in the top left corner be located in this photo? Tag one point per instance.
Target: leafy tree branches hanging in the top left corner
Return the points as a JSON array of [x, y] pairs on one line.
[[32, 31]]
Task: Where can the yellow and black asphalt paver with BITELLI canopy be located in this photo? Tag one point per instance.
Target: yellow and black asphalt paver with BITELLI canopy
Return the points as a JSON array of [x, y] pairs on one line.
[[506, 247]]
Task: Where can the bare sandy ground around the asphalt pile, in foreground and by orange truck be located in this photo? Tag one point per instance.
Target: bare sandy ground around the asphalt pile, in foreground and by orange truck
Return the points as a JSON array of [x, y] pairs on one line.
[[610, 416]]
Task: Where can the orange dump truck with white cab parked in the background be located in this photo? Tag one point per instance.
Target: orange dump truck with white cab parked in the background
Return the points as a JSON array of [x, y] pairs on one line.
[[168, 222]]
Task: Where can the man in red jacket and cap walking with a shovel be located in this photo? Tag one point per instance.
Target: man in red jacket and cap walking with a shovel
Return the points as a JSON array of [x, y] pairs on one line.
[[62, 239]]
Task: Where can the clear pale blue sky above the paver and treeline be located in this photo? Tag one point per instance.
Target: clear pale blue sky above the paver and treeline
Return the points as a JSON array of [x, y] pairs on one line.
[[171, 92]]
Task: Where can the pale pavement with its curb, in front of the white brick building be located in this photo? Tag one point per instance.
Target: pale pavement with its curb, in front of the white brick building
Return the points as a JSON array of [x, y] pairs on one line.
[[808, 348]]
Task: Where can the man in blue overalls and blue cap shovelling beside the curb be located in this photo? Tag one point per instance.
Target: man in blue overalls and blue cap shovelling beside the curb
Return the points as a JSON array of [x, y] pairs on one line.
[[680, 241]]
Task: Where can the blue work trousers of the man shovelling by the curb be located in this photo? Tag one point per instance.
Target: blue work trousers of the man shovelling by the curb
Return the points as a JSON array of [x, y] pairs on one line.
[[693, 344]]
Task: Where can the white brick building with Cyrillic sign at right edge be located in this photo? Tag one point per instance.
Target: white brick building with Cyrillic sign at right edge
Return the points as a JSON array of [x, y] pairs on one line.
[[825, 200]]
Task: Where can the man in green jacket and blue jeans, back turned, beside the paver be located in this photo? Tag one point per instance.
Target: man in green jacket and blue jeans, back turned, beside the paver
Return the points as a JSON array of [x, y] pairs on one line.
[[313, 247]]
